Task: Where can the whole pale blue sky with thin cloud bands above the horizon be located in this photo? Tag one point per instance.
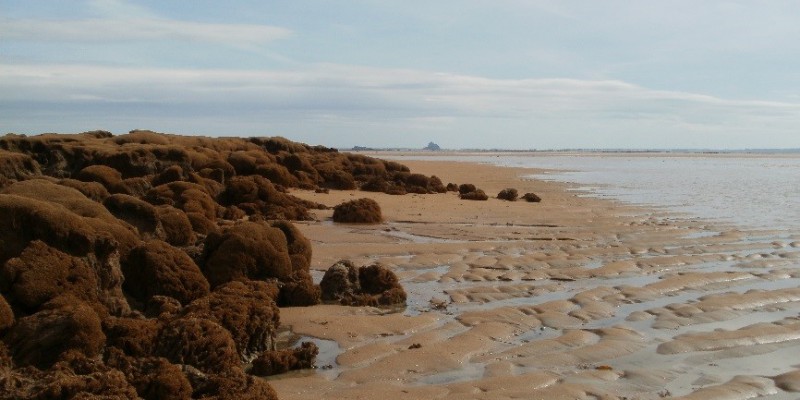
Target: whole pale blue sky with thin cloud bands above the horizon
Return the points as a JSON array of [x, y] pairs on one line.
[[511, 74]]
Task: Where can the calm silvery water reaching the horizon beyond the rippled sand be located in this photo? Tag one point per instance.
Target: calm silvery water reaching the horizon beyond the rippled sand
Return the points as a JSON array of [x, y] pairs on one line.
[[750, 191]]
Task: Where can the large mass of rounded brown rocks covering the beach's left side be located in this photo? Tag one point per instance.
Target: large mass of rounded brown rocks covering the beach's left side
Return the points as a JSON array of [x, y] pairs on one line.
[[152, 265]]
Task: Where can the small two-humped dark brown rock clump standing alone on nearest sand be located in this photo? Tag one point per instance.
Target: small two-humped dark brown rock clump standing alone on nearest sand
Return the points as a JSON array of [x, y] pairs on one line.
[[364, 286]]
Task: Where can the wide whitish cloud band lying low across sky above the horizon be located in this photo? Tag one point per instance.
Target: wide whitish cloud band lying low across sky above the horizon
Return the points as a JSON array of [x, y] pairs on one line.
[[377, 102]]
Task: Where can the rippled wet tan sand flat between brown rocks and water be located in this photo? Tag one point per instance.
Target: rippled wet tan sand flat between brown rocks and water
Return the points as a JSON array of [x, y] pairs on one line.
[[573, 297]]
